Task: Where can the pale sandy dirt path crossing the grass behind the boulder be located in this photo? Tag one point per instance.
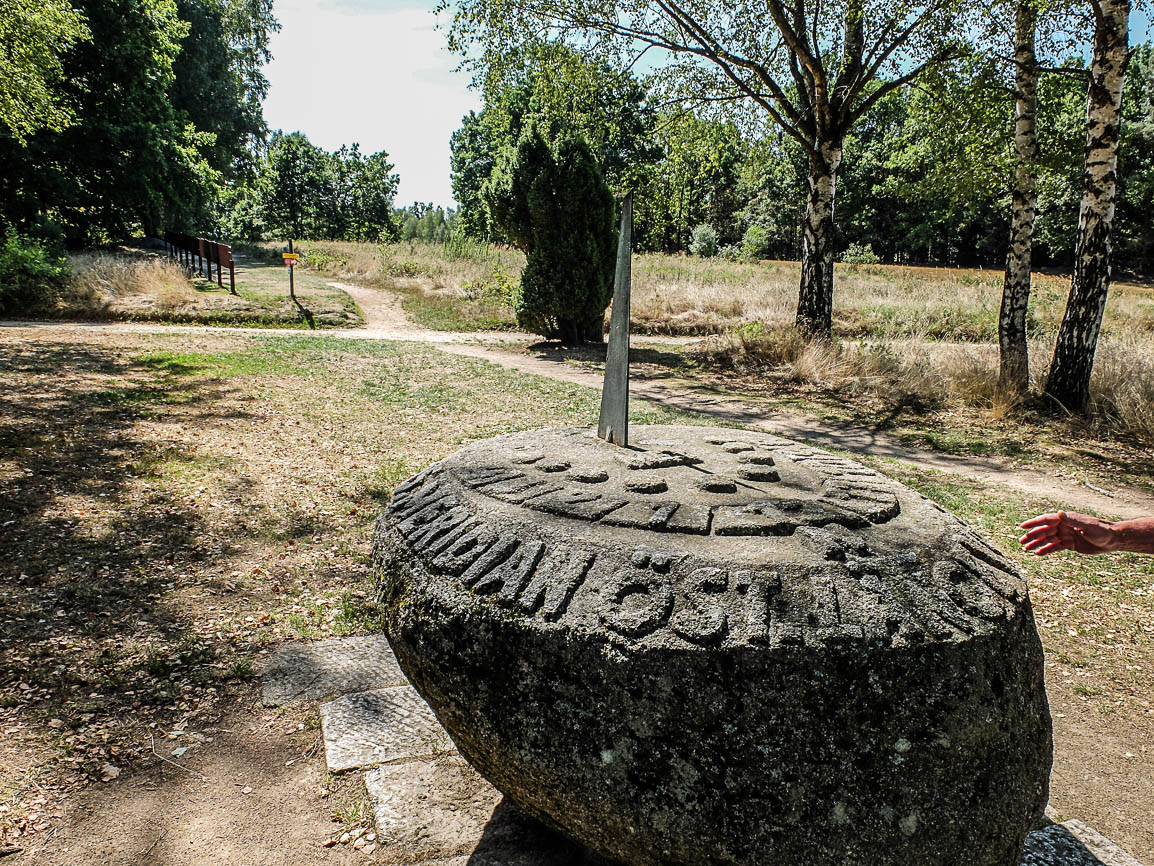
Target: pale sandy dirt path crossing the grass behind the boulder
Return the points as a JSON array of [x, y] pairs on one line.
[[387, 320]]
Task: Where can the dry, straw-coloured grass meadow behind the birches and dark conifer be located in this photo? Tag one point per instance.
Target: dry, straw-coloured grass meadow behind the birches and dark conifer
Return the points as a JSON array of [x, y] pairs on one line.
[[923, 337]]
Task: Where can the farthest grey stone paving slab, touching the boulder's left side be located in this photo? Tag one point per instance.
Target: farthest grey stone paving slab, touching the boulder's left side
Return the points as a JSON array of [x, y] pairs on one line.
[[327, 669]]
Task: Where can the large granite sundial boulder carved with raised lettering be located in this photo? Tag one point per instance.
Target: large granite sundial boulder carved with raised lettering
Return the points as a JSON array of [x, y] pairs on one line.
[[718, 647]]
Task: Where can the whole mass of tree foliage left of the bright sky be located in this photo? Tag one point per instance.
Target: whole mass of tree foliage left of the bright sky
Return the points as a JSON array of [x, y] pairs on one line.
[[164, 101]]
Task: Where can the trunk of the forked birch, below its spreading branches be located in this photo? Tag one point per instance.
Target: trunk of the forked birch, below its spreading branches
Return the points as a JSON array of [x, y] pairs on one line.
[[815, 301]]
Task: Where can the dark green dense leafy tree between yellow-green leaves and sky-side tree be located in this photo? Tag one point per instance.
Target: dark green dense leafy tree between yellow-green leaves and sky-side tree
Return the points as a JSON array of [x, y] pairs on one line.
[[130, 162]]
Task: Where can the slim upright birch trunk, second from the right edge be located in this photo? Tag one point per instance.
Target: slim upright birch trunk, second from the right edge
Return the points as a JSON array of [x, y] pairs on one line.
[[1015, 352]]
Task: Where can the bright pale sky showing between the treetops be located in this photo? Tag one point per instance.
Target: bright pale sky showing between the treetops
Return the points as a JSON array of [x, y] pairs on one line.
[[378, 72]]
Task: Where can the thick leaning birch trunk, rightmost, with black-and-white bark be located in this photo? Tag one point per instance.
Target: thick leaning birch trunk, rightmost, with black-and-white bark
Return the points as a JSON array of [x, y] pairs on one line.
[[1074, 355]]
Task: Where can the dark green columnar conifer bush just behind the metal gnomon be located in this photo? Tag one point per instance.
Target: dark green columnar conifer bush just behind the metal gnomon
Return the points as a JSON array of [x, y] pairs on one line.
[[551, 199]]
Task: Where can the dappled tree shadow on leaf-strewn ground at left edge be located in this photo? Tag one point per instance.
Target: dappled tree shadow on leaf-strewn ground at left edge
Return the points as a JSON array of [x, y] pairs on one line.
[[92, 553]]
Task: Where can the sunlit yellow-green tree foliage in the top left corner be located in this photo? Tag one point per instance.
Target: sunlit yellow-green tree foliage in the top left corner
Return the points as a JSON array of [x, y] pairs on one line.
[[34, 36]]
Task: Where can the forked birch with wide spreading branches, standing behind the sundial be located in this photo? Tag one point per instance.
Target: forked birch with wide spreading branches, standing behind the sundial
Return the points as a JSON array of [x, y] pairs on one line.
[[815, 71]]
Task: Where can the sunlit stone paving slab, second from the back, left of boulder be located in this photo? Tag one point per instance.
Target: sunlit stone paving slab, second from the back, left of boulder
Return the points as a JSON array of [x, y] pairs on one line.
[[379, 727]]
